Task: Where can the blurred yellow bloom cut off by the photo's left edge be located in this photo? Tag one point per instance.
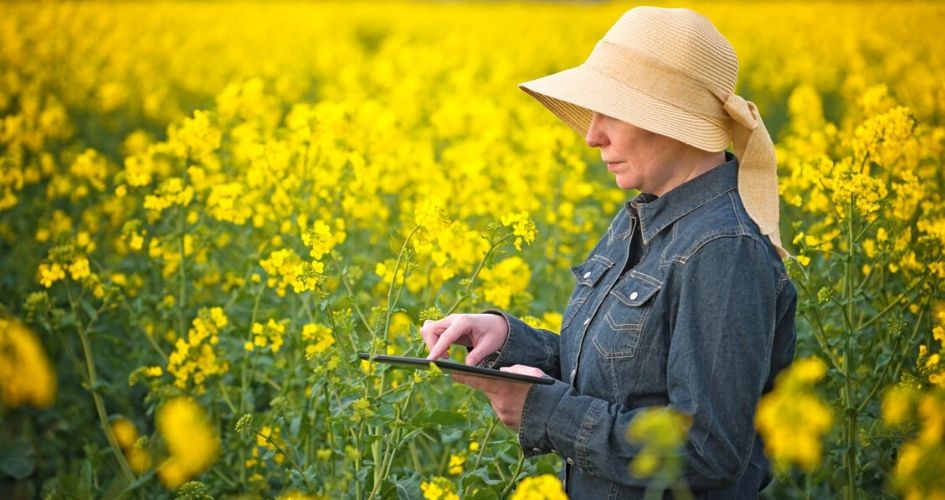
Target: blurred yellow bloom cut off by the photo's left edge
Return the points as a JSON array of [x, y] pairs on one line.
[[26, 375]]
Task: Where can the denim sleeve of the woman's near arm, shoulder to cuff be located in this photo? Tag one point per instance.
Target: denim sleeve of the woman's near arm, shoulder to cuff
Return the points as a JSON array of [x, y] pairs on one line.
[[722, 321]]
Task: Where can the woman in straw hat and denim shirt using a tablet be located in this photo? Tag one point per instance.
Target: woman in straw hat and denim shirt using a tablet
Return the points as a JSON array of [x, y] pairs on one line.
[[684, 302]]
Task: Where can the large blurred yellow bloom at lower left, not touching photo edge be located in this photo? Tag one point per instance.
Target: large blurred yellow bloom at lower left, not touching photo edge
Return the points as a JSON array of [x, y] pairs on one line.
[[192, 442]]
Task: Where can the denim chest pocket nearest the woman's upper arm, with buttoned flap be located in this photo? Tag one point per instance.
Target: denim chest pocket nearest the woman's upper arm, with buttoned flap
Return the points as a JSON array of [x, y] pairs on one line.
[[631, 300]]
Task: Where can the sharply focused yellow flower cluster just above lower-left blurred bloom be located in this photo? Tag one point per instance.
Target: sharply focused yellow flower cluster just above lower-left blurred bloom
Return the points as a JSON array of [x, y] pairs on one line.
[[194, 358]]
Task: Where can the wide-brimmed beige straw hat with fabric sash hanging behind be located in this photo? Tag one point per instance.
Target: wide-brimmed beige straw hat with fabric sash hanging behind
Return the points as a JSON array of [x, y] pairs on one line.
[[671, 72]]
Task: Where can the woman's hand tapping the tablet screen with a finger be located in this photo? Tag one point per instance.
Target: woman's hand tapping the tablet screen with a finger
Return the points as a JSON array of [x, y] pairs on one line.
[[485, 333]]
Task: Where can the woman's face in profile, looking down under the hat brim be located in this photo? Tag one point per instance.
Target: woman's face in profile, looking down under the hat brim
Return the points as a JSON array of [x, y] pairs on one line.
[[640, 159]]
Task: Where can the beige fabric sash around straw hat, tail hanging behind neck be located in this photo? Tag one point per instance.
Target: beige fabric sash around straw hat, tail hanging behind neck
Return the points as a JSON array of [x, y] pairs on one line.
[[737, 118]]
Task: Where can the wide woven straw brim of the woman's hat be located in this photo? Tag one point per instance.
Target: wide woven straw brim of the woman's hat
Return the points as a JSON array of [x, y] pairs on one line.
[[574, 94]]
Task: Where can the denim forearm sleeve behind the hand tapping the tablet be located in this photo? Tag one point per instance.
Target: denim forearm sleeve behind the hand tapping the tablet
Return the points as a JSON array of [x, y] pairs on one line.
[[526, 346]]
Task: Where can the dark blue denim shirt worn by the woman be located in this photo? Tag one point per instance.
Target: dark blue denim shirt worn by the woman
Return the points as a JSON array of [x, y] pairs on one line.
[[702, 324]]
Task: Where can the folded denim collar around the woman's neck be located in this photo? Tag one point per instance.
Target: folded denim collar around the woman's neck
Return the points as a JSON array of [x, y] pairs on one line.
[[656, 213]]
